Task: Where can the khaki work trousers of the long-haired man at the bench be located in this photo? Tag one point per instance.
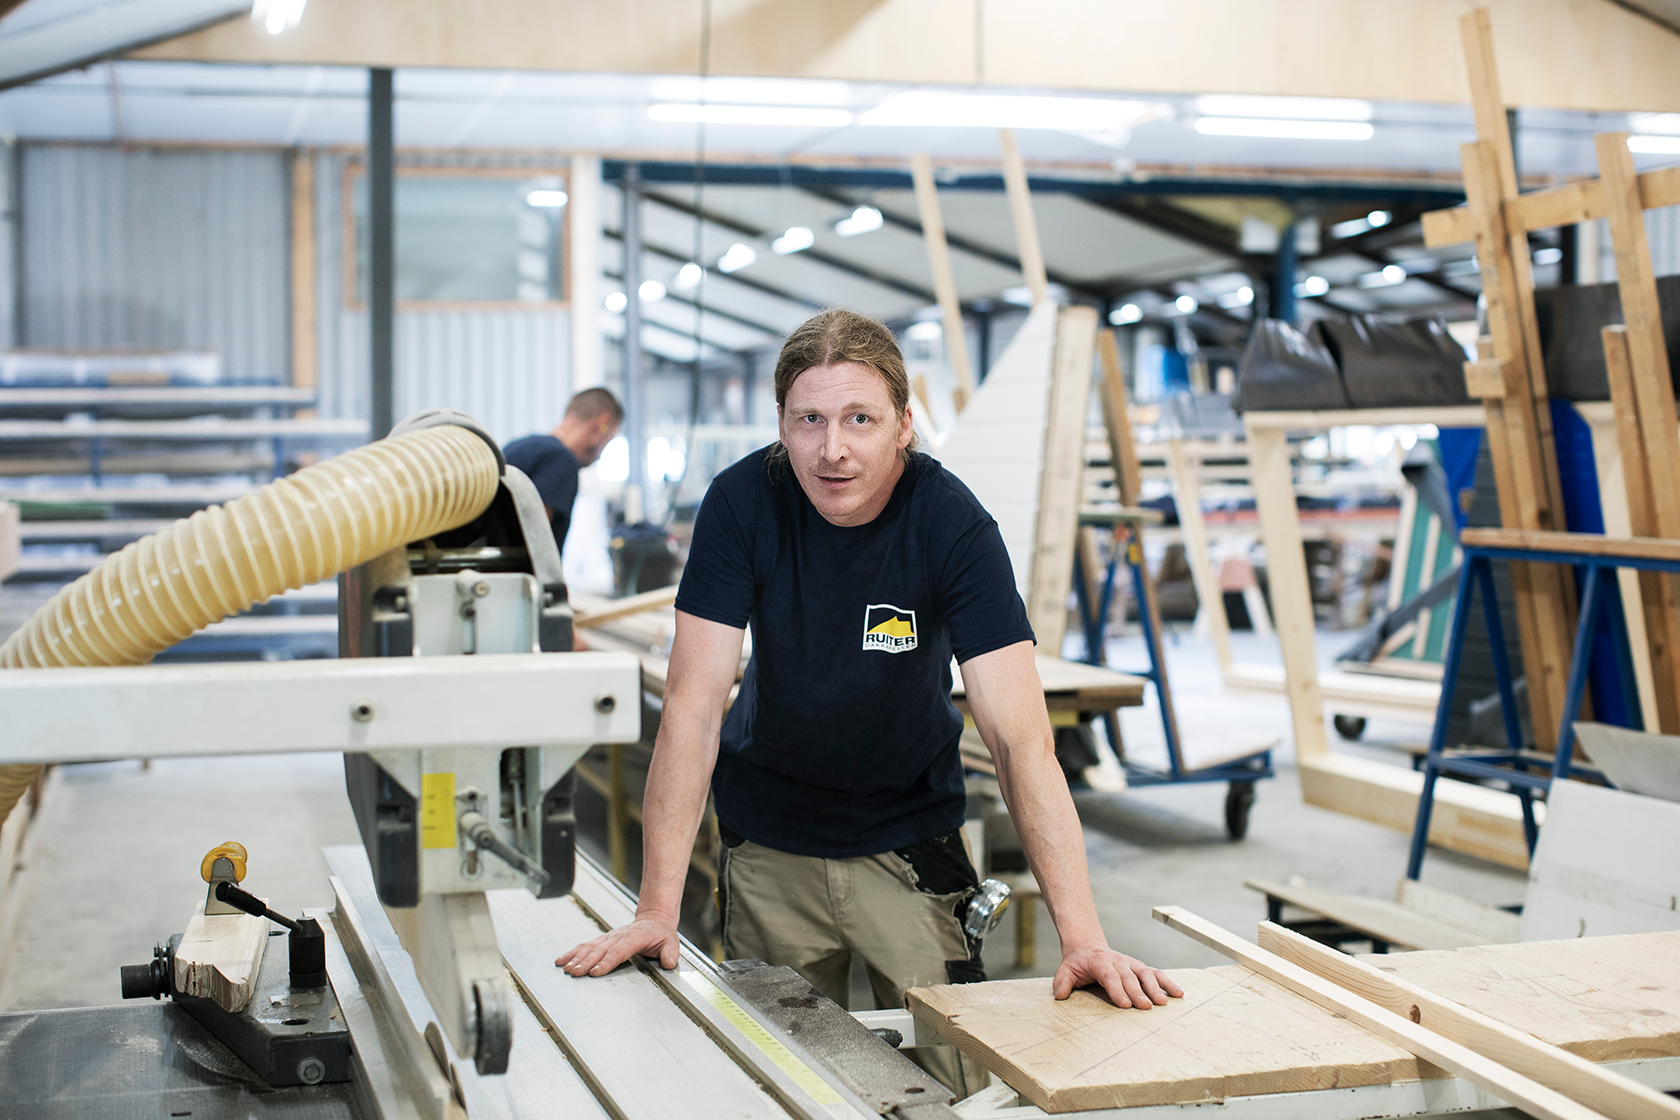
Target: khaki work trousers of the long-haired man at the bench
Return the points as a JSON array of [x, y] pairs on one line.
[[814, 916]]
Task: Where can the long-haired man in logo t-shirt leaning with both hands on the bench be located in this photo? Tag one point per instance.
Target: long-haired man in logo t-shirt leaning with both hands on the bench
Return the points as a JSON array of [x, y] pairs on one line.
[[863, 567]]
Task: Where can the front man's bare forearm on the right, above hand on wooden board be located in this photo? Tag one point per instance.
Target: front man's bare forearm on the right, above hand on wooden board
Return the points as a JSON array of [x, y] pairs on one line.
[[1037, 798]]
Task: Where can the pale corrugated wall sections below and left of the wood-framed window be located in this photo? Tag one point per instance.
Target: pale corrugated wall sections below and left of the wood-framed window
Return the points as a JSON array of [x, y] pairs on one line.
[[507, 369]]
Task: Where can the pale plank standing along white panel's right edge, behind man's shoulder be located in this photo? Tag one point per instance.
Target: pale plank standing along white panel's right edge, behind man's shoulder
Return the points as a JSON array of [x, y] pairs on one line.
[[1059, 484]]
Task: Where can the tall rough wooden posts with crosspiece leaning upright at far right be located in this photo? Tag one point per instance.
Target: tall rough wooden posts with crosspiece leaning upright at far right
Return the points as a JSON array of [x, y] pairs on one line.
[[1511, 379]]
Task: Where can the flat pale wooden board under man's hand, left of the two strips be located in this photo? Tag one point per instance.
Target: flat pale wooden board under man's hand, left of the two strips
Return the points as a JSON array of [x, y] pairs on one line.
[[1232, 1035]]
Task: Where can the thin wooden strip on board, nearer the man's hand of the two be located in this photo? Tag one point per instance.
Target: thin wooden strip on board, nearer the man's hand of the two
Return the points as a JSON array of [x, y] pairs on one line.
[[1516, 1089]]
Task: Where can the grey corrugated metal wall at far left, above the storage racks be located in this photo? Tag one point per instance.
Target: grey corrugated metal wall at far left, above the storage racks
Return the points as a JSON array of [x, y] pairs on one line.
[[157, 248]]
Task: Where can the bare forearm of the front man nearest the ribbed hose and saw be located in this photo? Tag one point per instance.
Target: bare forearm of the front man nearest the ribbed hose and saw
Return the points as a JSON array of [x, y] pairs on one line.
[[673, 805]]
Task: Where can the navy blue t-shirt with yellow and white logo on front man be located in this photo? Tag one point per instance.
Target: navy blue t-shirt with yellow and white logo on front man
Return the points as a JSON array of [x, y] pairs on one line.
[[844, 740]]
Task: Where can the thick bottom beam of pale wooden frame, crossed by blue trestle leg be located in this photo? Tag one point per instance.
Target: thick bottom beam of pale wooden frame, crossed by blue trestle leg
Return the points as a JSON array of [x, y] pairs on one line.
[[1473, 820]]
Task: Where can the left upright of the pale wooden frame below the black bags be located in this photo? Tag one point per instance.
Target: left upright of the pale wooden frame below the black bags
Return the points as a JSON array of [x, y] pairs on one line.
[[1291, 592]]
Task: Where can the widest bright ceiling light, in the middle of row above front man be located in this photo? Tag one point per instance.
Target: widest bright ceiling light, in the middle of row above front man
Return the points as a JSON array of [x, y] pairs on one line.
[[933, 108]]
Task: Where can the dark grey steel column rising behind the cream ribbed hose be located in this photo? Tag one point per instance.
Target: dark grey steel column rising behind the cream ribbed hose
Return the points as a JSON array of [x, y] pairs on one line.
[[382, 249]]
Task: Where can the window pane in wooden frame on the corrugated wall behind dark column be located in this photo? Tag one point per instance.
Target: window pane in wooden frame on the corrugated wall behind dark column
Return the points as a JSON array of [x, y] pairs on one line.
[[470, 239]]
